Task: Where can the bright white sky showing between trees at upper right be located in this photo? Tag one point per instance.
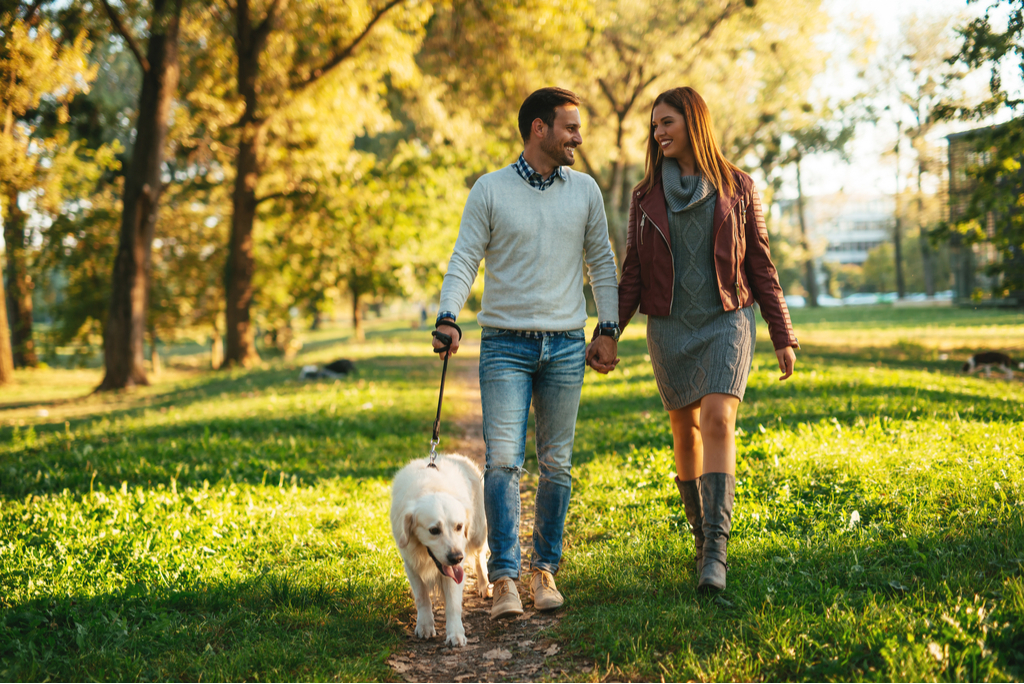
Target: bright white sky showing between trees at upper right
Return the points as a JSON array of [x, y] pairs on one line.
[[873, 169]]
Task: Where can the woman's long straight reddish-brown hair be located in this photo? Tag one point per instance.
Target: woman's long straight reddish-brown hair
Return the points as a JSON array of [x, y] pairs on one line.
[[709, 157]]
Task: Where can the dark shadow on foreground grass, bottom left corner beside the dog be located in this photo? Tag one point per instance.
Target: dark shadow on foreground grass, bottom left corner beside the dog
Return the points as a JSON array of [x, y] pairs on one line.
[[283, 628]]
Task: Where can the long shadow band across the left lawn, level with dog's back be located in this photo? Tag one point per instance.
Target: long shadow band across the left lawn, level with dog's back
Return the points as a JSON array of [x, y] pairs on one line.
[[253, 451]]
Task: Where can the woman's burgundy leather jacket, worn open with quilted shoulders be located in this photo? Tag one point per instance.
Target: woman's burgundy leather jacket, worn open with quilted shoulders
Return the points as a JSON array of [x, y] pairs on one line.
[[743, 261]]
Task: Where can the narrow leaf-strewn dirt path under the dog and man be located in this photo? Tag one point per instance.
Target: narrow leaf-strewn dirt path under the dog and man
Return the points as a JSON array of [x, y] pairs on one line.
[[508, 651]]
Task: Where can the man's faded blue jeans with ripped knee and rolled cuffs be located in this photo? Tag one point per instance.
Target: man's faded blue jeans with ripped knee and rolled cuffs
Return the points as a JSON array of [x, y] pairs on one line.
[[516, 371]]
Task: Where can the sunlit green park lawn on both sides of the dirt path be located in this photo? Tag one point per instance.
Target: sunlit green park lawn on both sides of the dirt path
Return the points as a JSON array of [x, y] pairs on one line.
[[228, 527]]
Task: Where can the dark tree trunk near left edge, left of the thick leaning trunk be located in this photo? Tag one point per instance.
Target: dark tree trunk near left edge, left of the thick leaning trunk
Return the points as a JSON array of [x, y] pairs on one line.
[[21, 286]]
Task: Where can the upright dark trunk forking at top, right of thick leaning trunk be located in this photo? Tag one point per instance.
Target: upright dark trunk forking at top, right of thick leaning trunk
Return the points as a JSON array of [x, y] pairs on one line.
[[249, 44]]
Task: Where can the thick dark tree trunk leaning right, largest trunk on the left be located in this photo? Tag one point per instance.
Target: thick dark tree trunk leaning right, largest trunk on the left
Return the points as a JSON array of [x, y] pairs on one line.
[[124, 336]]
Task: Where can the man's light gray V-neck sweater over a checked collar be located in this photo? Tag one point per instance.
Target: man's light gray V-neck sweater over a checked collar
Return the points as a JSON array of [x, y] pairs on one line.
[[534, 244]]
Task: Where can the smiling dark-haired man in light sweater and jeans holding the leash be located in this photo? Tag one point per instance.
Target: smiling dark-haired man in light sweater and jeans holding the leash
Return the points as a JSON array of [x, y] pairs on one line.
[[533, 223]]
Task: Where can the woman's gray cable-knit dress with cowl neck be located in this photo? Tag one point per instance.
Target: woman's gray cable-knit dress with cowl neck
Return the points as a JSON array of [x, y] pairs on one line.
[[700, 349]]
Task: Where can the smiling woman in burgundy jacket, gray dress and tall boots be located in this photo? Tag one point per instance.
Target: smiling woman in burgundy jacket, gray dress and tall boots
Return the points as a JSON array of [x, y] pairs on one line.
[[697, 260]]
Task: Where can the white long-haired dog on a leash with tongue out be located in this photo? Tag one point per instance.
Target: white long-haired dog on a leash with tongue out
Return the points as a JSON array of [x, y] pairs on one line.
[[439, 522]]
